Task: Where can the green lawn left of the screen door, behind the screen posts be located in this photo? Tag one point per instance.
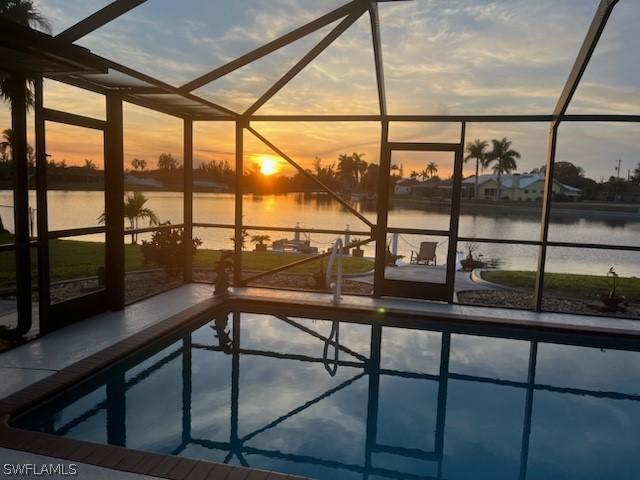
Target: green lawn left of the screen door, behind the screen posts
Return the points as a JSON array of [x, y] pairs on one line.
[[77, 259]]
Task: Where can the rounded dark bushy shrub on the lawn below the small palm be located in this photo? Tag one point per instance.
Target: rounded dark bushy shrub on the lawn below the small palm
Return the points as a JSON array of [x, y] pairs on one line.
[[166, 250]]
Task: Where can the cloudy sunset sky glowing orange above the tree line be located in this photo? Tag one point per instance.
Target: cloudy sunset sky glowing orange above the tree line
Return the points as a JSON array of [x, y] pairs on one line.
[[441, 57]]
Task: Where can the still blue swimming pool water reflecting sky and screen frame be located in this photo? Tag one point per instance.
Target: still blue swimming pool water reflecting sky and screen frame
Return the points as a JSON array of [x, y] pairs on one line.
[[401, 403]]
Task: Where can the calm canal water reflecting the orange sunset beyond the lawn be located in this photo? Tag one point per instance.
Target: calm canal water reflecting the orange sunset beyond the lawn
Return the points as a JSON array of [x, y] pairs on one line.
[[75, 209]]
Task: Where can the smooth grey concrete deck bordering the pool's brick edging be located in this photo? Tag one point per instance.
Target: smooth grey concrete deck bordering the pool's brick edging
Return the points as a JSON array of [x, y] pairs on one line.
[[41, 358]]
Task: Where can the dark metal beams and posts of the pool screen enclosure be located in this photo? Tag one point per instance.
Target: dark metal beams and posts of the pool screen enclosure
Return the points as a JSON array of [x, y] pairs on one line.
[[200, 109]]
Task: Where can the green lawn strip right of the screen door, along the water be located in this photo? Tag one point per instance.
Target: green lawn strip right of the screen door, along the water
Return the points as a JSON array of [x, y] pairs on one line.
[[566, 284]]
